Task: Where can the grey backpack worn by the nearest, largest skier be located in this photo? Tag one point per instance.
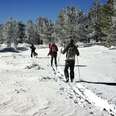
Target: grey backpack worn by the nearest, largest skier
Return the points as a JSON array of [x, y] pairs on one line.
[[71, 53]]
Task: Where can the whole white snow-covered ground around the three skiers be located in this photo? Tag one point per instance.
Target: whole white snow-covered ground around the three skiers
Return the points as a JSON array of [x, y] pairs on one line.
[[29, 86]]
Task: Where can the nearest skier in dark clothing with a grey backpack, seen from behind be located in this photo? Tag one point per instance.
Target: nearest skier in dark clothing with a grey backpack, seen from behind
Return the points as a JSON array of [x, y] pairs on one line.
[[70, 50]]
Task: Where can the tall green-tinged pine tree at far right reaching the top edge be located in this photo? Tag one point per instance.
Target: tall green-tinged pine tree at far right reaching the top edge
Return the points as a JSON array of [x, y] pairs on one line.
[[100, 16]]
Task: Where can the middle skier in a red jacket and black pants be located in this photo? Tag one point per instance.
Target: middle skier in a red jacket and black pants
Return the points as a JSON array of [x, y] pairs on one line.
[[53, 52]]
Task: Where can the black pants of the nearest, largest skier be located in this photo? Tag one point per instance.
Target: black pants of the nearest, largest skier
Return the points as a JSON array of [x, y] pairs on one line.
[[69, 64]]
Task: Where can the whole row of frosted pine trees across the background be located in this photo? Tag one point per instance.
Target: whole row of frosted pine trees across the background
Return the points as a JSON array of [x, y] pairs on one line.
[[95, 25]]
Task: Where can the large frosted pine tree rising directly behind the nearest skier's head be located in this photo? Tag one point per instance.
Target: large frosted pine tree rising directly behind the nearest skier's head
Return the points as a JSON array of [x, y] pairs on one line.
[[69, 24]]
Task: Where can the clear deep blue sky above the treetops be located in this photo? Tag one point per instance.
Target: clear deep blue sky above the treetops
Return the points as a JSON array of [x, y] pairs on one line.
[[30, 9]]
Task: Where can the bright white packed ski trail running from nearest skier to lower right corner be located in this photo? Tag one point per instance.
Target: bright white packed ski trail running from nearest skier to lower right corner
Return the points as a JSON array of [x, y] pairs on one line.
[[91, 98]]
